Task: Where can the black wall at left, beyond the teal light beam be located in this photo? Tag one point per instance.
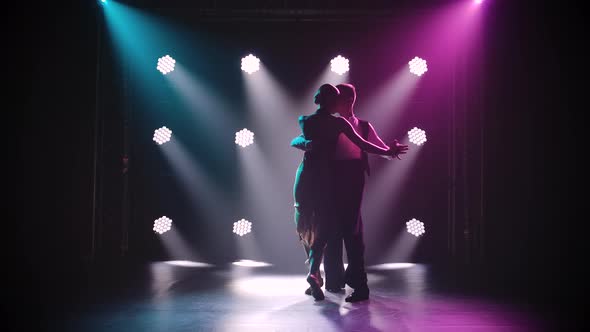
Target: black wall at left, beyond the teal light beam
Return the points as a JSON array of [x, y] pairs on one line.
[[55, 141]]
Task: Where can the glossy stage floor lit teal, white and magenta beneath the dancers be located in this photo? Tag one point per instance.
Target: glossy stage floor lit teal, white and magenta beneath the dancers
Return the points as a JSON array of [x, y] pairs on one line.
[[175, 297]]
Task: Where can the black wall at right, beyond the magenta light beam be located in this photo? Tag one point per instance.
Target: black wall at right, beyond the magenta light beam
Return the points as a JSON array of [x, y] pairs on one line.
[[533, 151]]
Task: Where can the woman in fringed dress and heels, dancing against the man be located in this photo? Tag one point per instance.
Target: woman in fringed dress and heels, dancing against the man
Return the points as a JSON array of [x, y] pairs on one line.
[[315, 183]]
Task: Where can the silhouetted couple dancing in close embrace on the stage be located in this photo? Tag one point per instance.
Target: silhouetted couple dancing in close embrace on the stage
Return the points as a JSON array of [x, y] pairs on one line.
[[328, 190]]
